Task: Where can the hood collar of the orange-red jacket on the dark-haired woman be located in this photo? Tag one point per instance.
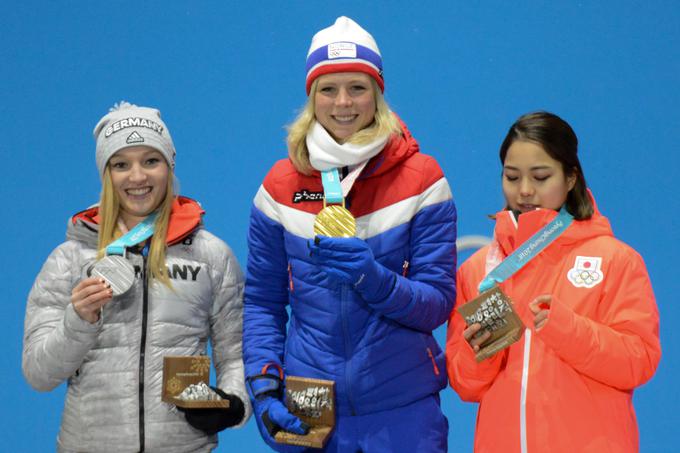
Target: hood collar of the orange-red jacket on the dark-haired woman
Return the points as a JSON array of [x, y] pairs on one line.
[[511, 233]]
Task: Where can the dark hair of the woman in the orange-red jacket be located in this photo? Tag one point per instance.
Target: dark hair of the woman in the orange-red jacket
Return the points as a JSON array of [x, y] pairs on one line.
[[558, 139]]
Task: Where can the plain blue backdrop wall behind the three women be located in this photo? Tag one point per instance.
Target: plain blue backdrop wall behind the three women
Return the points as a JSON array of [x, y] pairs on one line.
[[227, 78]]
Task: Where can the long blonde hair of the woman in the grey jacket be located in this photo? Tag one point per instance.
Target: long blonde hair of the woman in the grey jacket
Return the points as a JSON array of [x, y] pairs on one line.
[[109, 208]]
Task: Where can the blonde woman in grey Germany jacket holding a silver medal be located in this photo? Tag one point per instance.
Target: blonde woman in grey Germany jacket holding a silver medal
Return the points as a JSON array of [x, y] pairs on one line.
[[137, 279]]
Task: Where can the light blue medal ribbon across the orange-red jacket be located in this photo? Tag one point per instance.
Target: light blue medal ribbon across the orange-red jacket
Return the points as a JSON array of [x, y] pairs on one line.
[[528, 250]]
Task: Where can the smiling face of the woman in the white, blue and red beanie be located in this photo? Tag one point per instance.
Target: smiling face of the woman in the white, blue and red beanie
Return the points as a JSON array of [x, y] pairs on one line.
[[344, 103]]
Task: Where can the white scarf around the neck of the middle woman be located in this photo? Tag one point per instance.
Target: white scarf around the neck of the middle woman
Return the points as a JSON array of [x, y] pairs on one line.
[[325, 153]]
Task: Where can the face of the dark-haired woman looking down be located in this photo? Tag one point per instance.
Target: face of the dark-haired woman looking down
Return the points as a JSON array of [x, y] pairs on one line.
[[532, 179]]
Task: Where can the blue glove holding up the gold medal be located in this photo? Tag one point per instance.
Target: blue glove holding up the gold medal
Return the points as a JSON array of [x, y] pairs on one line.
[[351, 261]]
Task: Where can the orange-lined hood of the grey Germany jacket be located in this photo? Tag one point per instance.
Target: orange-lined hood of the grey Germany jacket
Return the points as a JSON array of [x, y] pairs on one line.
[[185, 217]]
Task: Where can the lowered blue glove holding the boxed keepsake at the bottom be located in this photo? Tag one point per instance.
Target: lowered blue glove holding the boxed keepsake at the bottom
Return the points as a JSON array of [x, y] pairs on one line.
[[266, 392]]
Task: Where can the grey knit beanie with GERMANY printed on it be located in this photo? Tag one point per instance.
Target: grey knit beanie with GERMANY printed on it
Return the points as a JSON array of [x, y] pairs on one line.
[[127, 125]]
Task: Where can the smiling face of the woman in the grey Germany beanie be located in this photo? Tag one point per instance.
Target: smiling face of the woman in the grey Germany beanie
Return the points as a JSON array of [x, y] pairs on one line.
[[139, 176]]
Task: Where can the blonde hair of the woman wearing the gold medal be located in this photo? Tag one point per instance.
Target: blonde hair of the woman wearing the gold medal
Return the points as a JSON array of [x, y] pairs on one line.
[[385, 123]]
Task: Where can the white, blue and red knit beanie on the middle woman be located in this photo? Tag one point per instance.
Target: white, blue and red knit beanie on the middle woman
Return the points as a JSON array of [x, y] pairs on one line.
[[344, 47]]
